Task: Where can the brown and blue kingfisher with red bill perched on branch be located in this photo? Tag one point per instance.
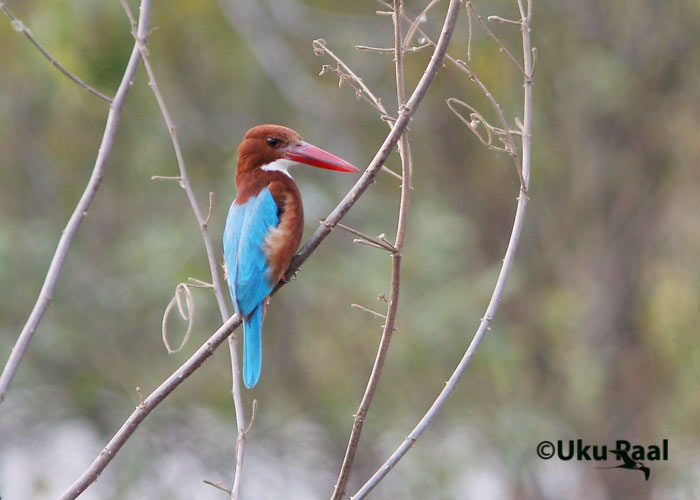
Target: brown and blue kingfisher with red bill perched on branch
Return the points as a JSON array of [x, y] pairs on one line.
[[264, 226]]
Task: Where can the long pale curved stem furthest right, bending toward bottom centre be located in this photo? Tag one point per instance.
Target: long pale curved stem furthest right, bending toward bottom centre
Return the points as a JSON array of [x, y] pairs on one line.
[[484, 326]]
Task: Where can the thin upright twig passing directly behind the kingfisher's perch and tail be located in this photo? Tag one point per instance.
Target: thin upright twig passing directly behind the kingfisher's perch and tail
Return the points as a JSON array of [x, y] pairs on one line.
[[211, 256]]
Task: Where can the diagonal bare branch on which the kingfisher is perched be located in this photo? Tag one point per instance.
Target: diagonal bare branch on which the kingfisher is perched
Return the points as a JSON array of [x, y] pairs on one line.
[[206, 350]]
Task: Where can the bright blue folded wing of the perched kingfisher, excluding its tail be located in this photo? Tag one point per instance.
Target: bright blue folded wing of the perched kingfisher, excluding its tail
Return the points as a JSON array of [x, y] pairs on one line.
[[244, 236]]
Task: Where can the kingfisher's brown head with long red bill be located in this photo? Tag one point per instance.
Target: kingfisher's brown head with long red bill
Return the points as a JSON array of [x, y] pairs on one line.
[[274, 147]]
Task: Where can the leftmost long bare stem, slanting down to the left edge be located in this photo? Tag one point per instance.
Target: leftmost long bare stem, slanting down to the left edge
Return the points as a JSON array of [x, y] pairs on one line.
[[81, 209]]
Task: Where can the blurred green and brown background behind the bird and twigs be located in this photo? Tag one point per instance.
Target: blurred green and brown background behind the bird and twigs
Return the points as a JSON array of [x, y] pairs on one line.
[[596, 338]]
